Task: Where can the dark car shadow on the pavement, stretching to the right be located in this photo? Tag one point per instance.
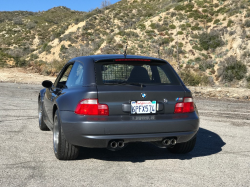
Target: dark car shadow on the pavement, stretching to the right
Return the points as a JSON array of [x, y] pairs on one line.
[[208, 143]]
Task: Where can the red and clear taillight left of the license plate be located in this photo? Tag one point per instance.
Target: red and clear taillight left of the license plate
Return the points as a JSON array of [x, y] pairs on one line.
[[91, 107]]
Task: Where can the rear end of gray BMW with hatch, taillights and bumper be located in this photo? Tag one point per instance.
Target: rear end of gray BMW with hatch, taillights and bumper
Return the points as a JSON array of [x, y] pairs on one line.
[[138, 99]]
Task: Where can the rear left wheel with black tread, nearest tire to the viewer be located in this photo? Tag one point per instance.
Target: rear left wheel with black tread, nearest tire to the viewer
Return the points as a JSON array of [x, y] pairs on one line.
[[63, 150]]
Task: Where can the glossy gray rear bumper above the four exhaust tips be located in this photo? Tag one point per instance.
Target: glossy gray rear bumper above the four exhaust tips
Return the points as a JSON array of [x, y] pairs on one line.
[[92, 131]]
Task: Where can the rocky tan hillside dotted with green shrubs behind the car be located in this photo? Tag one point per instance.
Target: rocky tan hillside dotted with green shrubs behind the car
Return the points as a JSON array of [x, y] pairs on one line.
[[207, 41]]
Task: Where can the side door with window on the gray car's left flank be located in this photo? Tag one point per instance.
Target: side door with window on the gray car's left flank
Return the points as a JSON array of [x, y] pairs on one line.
[[57, 88]]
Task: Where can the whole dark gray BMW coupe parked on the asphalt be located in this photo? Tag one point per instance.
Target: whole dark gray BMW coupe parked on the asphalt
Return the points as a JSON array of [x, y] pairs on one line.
[[108, 101]]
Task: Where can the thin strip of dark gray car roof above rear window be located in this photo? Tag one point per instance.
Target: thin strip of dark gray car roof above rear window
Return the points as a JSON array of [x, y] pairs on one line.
[[113, 56]]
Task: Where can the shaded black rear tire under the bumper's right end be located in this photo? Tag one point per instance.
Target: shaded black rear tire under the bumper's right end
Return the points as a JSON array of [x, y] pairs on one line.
[[182, 148]]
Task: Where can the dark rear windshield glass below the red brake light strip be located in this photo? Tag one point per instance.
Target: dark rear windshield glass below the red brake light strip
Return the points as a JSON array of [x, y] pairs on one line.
[[134, 72]]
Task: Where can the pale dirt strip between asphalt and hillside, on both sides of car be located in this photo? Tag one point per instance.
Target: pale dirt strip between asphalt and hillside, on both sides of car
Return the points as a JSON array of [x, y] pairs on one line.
[[24, 76]]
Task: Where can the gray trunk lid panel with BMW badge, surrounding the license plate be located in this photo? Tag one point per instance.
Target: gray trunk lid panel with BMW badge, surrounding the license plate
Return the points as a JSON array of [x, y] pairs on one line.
[[118, 98]]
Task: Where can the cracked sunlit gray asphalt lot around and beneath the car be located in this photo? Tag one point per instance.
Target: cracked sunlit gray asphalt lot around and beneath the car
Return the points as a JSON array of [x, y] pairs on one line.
[[221, 156]]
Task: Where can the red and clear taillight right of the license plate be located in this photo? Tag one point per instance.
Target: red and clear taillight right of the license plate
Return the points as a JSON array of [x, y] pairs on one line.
[[185, 107]]
